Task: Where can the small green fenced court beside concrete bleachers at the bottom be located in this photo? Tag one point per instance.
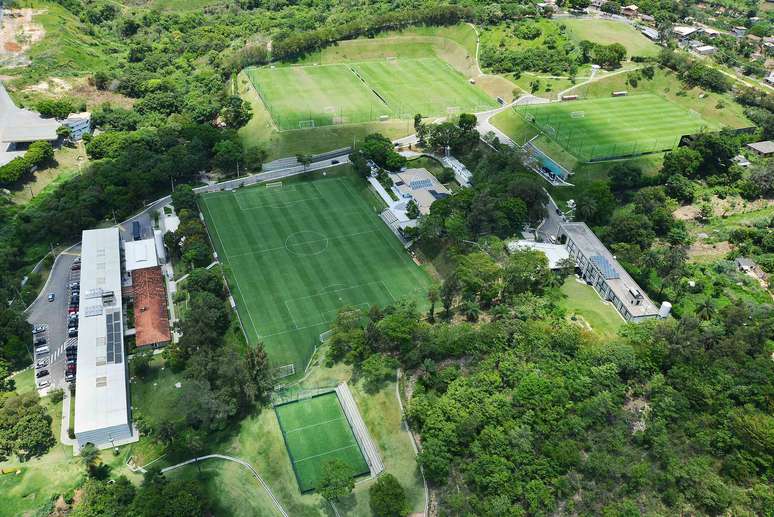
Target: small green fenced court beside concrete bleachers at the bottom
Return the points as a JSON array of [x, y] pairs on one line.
[[315, 431]]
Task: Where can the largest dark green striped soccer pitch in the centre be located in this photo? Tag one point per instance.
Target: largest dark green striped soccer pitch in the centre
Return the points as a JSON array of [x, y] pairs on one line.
[[296, 254]]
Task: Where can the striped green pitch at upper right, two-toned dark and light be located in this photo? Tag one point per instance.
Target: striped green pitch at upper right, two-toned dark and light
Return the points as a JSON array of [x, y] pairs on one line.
[[613, 127]]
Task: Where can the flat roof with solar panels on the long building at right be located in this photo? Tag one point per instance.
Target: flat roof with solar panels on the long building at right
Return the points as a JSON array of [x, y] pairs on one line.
[[616, 276]]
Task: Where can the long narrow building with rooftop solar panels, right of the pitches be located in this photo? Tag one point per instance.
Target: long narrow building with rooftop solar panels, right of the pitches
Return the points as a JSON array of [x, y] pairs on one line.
[[600, 268]]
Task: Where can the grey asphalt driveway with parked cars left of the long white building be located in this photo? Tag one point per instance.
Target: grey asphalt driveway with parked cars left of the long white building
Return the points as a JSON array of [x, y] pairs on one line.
[[54, 314]]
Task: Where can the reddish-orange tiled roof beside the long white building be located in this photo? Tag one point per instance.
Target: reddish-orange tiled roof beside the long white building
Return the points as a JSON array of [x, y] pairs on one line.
[[151, 316]]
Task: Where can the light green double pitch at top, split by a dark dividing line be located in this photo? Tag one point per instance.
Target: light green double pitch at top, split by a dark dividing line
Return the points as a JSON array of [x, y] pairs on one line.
[[309, 96]]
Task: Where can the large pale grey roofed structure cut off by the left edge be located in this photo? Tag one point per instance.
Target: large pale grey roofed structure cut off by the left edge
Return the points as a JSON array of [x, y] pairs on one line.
[[19, 128]]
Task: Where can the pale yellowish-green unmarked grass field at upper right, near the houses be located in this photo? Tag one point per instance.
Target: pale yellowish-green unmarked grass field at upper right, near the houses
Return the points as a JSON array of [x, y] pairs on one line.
[[607, 32]]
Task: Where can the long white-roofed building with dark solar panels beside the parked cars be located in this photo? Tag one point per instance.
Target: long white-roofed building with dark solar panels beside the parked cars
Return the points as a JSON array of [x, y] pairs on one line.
[[102, 410]]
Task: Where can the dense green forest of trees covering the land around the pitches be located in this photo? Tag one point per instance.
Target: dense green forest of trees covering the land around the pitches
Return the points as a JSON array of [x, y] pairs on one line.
[[519, 411]]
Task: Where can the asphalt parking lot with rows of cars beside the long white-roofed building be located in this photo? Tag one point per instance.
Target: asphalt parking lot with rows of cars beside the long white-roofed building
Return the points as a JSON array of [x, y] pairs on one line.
[[52, 315]]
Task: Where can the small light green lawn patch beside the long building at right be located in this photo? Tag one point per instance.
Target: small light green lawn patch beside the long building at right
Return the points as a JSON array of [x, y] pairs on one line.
[[583, 302]]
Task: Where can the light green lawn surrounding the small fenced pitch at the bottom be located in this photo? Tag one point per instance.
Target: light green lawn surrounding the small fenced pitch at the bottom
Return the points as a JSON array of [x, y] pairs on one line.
[[258, 440]]
